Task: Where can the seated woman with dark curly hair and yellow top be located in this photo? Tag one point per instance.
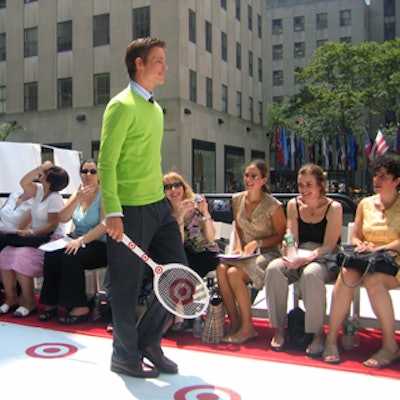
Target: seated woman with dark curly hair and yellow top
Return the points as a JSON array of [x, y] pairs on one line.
[[376, 226]]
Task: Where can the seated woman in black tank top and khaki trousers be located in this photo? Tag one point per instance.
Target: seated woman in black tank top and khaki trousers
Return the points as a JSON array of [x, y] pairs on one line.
[[316, 223]]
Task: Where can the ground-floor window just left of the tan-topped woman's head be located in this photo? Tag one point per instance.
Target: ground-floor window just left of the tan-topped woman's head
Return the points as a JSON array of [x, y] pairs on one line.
[[234, 165]]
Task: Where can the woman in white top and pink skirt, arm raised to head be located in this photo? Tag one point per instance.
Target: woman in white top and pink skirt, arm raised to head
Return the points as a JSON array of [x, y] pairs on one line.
[[21, 264]]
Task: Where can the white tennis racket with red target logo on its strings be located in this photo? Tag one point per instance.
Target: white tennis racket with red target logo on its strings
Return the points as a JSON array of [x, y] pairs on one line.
[[178, 288]]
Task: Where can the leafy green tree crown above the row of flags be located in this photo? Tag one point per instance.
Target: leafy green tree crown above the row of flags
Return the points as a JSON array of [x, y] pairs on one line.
[[342, 82]]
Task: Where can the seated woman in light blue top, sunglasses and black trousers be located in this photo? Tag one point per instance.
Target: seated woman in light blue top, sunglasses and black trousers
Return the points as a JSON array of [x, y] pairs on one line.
[[64, 270]]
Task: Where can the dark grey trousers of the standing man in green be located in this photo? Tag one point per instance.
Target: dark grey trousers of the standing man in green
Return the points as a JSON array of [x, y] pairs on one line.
[[155, 230]]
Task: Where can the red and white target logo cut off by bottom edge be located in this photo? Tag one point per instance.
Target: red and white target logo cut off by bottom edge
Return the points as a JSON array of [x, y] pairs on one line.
[[206, 392]]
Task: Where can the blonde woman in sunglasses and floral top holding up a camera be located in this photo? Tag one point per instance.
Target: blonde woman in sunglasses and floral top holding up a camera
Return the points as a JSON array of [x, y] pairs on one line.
[[196, 226]]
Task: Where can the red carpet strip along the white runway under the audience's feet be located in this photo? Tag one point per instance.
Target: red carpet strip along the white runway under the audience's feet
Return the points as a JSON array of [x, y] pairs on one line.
[[370, 342]]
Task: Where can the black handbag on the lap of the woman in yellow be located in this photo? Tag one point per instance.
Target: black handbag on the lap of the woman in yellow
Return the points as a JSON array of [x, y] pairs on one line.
[[379, 261]]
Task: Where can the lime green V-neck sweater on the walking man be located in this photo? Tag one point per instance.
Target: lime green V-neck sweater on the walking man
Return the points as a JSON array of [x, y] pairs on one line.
[[129, 164]]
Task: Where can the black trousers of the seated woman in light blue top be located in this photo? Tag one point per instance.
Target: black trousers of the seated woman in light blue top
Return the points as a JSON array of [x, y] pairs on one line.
[[64, 274]]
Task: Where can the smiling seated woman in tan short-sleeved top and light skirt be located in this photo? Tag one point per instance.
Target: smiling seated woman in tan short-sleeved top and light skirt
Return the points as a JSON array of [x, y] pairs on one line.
[[259, 227]]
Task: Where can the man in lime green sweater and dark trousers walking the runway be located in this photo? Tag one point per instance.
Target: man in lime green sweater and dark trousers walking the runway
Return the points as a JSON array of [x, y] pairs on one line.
[[134, 201]]
